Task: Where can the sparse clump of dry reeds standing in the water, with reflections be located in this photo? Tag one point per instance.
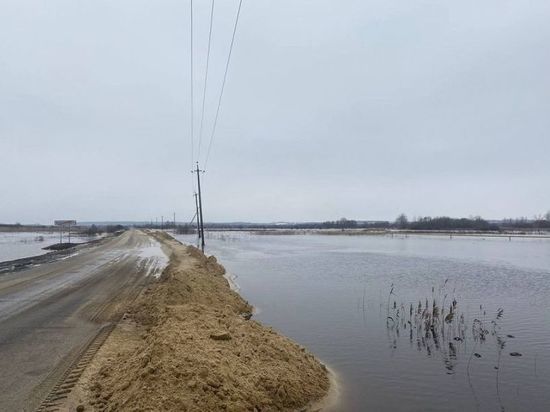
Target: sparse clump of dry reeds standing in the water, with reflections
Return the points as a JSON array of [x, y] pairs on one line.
[[440, 331]]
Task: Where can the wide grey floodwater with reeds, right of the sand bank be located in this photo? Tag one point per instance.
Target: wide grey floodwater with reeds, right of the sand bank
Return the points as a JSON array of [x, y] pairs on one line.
[[332, 294]]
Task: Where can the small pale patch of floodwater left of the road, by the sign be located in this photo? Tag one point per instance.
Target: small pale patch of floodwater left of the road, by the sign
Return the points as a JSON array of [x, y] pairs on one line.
[[18, 245]]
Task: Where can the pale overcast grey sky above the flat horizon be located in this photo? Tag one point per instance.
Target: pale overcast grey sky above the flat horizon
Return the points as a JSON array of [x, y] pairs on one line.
[[353, 108]]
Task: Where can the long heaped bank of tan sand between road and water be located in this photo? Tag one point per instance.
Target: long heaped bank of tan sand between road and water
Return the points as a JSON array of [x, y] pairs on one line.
[[186, 345]]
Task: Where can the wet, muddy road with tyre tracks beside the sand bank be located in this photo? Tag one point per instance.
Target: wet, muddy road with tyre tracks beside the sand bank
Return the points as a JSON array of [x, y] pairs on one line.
[[49, 312]]
